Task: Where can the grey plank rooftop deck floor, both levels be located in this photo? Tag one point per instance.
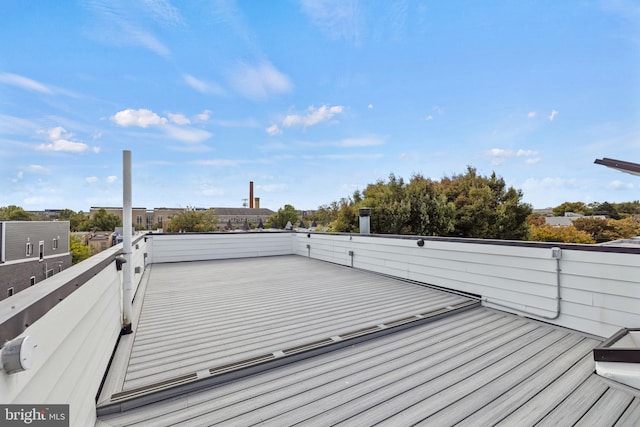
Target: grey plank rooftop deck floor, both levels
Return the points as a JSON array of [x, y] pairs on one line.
[[460, 363]]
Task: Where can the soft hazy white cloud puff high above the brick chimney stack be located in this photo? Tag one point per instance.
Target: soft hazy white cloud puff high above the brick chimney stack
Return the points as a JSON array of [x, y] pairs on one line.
[[260, 81]]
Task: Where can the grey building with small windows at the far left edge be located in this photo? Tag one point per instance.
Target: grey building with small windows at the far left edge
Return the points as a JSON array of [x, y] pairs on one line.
[[31, 251]]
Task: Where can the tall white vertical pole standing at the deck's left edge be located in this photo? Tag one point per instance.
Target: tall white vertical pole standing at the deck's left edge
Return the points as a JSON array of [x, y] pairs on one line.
[[127, 230]]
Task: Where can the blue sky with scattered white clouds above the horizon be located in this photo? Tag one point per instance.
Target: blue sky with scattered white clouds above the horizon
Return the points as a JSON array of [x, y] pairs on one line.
[[312, 100]]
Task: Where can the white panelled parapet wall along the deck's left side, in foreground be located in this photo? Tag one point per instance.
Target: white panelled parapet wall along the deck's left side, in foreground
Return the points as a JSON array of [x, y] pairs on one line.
[[75, 340]]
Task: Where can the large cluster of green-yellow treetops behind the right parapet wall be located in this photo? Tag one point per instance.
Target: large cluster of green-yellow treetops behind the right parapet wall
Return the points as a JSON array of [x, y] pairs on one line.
[[465, 205]]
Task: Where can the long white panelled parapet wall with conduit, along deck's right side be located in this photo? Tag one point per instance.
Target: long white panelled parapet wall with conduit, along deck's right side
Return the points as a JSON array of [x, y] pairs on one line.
[[600, 290]]
